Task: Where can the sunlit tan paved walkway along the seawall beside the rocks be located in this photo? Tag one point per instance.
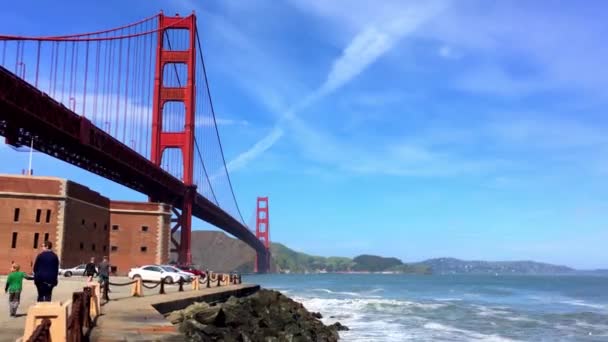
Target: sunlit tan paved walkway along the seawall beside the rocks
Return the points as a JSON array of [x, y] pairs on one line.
[[124, 318]]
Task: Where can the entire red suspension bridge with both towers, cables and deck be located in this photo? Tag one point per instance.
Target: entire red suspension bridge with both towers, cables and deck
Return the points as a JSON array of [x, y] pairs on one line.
[[131, 104]]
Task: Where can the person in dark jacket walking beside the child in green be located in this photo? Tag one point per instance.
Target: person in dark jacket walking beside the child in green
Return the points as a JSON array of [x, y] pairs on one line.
[[46, 271]]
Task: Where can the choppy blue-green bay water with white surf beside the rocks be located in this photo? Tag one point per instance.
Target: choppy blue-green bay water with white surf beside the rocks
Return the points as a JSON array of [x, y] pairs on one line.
[[453, 307]]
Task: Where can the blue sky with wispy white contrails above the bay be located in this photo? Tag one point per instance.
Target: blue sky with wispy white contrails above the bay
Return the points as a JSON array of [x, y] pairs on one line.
[[471, 129]]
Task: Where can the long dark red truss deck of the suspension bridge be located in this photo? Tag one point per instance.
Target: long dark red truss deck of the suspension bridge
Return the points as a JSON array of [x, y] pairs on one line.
[[26, 112]]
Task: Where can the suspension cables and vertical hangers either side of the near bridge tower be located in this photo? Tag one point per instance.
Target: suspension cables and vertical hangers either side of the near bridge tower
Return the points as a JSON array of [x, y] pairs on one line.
[[107, 76]]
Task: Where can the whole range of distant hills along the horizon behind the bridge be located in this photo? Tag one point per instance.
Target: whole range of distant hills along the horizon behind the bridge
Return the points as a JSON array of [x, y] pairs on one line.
[[217, 251]]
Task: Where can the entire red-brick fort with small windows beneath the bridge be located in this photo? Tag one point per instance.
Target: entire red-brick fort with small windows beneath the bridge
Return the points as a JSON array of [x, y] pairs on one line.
[[80, 223]]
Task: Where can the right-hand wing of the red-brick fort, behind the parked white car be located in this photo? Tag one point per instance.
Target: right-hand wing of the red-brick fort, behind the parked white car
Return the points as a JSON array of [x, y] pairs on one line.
[[139, 234]]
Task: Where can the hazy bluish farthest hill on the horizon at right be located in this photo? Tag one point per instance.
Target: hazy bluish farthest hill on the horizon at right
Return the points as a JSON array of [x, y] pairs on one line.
[[456, 266]]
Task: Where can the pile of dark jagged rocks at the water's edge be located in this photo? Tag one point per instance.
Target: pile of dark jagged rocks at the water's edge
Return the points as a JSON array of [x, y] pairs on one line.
[[266, 315]]
